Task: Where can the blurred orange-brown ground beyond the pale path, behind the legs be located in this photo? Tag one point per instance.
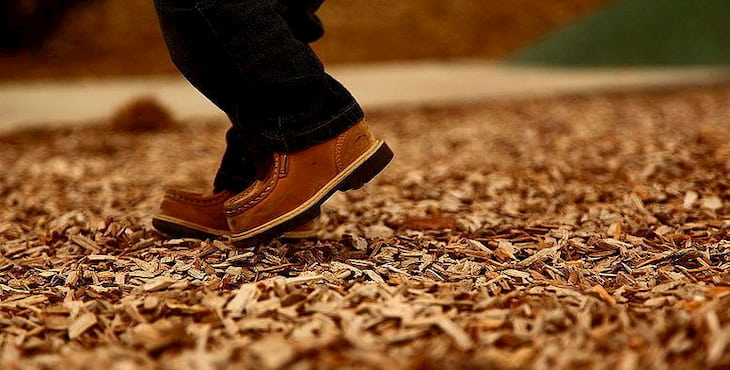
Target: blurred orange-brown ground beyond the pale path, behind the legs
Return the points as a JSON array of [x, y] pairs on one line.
[[113, 37]]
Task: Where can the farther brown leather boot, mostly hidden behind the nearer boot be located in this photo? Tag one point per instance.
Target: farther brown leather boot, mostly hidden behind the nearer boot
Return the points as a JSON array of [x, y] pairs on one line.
[[194, 215]]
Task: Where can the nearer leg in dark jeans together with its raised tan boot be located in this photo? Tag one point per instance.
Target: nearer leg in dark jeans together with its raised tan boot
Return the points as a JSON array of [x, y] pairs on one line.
[[308, 121]]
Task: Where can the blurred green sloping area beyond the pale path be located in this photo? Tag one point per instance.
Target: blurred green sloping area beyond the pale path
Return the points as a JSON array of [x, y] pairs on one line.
[[640, 33]]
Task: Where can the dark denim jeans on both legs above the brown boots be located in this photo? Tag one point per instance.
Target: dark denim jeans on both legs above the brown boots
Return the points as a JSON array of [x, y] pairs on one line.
[[251, 59]]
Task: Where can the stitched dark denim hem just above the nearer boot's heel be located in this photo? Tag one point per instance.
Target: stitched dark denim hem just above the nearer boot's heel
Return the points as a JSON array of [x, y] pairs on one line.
[[314, 134]]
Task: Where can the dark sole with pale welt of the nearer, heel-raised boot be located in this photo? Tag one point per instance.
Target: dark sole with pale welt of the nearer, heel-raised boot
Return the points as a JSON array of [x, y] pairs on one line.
[[359, 173]]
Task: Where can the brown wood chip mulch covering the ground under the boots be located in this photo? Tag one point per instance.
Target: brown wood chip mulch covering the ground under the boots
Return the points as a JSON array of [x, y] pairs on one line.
[[565, 232]]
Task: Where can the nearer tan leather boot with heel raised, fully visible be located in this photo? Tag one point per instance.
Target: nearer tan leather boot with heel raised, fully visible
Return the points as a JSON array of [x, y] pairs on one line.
[[298, 183]]
